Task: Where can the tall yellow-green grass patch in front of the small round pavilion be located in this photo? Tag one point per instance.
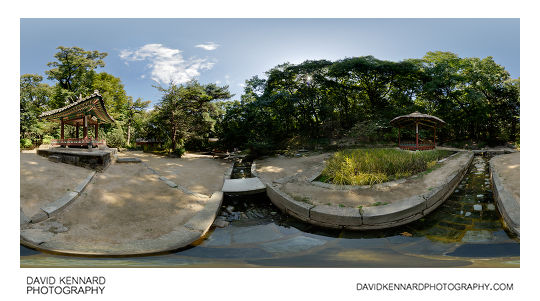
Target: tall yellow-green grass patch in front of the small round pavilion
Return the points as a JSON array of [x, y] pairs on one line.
[[373, 166]]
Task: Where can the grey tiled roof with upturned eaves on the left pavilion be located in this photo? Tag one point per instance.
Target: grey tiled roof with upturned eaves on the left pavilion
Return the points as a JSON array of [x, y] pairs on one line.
[[93, 102]]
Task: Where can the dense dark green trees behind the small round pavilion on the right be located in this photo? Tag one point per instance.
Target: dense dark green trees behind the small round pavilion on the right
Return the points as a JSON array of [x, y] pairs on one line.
[[357, 97]]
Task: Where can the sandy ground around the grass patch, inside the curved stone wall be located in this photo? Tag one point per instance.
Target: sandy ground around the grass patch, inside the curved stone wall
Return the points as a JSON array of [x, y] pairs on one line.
[[300, 189]]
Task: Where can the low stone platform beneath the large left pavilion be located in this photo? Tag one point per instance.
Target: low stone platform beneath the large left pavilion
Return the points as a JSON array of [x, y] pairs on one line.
[[97, 159]]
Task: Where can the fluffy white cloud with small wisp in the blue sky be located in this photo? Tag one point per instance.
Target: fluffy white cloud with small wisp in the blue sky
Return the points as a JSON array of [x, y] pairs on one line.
[[167, 64]]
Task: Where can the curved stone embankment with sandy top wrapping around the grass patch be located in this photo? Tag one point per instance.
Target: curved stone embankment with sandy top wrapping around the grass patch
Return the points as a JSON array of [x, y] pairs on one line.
[[290, 187]]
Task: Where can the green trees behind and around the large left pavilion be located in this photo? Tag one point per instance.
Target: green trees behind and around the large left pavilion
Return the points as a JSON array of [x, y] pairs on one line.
[[74, 74]]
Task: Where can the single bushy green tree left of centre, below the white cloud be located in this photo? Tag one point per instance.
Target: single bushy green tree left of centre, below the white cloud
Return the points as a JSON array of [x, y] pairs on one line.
[[184, 109]]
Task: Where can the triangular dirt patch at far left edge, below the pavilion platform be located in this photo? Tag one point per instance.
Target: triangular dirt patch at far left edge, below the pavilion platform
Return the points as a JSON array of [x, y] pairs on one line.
[[43, 181]]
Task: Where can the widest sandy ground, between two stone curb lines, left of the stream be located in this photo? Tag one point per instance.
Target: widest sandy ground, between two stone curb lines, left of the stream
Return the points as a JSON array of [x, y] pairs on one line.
[[125, 203]]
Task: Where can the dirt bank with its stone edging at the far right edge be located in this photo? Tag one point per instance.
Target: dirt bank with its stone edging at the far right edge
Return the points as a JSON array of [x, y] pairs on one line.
[[505, 171]]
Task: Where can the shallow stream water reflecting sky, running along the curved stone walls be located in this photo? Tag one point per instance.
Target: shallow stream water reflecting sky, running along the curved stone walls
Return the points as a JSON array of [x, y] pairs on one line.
[[466, 230]]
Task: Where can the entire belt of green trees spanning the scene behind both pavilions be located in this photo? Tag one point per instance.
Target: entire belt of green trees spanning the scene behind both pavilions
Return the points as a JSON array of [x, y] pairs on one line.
[[314, 103]]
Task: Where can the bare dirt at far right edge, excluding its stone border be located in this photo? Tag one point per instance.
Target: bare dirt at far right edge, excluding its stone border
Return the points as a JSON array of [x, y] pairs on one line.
[[508, 168]]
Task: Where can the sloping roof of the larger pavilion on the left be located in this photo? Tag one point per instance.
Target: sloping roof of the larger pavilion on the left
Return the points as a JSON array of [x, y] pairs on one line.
[[91, 105]]
